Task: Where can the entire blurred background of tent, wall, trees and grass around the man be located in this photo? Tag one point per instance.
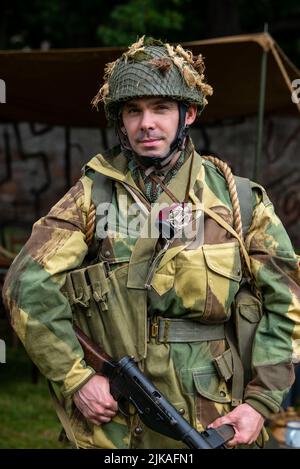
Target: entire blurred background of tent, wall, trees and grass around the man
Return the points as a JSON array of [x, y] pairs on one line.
[[52, 55]]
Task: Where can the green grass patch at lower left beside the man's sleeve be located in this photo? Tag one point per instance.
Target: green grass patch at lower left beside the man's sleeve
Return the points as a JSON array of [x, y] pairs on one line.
[[27, 416]]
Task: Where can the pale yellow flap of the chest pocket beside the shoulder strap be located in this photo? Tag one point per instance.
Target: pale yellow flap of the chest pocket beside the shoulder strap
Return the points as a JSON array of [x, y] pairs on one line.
[[224, 259]]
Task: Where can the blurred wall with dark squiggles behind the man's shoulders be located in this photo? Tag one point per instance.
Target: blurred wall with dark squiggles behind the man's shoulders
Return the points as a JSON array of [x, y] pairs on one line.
[[38, 164]]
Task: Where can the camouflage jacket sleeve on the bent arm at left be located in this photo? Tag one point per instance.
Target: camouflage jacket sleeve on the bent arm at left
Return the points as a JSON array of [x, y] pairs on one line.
[[40, 314]]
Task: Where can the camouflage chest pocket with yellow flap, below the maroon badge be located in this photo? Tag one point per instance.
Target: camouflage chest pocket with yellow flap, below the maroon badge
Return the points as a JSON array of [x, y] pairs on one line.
[[204, 280]]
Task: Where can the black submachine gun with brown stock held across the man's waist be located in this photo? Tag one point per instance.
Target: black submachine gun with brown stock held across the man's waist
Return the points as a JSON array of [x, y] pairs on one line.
[[129, 384]]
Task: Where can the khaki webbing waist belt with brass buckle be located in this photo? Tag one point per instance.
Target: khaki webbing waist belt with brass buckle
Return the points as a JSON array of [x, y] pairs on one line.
[[182, 330]]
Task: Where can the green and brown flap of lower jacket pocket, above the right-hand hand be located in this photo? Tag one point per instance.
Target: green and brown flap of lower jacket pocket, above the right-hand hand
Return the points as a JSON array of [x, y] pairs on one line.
[[209, 385]]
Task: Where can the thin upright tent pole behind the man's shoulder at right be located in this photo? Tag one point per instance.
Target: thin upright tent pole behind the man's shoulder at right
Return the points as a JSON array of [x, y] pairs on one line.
[[261, 111]]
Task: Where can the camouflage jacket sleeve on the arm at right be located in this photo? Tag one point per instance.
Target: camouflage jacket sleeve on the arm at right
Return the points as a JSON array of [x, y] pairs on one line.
[[276, 270]]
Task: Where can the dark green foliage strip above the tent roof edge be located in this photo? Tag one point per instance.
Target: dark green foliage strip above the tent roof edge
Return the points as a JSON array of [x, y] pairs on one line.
[[73, 23]]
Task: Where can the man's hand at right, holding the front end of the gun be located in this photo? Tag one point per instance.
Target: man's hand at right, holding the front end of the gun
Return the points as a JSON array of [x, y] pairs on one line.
[[246, 421]]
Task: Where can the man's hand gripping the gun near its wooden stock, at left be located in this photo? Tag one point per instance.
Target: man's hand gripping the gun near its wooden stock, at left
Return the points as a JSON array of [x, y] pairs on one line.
[[95, 401]]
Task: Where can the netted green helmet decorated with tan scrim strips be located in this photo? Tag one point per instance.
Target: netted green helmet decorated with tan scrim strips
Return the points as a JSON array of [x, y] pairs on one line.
[[152, 68]]
